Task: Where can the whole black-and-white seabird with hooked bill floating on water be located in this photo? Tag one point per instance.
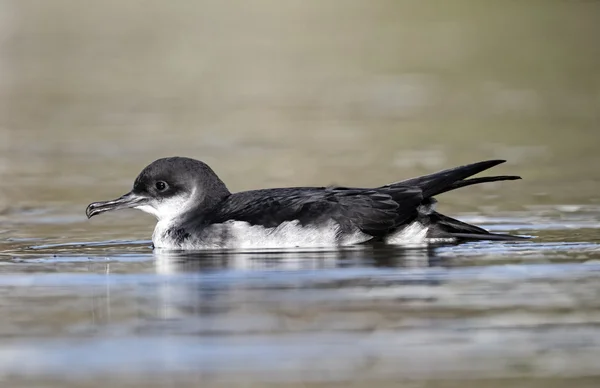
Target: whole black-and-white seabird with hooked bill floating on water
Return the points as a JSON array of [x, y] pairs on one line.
[[196, 211]]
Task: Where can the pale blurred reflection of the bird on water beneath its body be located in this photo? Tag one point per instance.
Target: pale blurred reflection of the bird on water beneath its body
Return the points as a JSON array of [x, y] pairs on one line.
[[231, 290]]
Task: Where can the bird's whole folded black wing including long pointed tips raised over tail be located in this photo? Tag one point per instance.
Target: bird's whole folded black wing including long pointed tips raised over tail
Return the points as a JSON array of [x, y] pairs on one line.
[[375, 211]]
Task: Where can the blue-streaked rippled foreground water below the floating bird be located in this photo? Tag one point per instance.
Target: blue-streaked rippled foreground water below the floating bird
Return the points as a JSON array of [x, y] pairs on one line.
[[353, 314]]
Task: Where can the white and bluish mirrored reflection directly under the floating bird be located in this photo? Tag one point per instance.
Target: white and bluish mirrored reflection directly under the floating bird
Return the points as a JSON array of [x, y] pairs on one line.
[[221, 281]]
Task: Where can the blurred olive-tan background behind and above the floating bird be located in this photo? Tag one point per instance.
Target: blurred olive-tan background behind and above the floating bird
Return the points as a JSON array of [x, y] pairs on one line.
[[284, 93]]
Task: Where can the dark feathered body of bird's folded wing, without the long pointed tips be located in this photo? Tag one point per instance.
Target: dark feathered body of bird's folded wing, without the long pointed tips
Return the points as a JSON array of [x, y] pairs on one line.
[[372, 211]]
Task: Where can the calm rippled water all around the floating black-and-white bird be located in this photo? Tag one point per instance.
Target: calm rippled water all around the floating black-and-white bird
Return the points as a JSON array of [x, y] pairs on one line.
[[299, 93]]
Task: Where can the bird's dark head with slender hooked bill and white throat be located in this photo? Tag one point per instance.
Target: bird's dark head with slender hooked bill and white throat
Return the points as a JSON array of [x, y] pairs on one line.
[[167, 188]]
